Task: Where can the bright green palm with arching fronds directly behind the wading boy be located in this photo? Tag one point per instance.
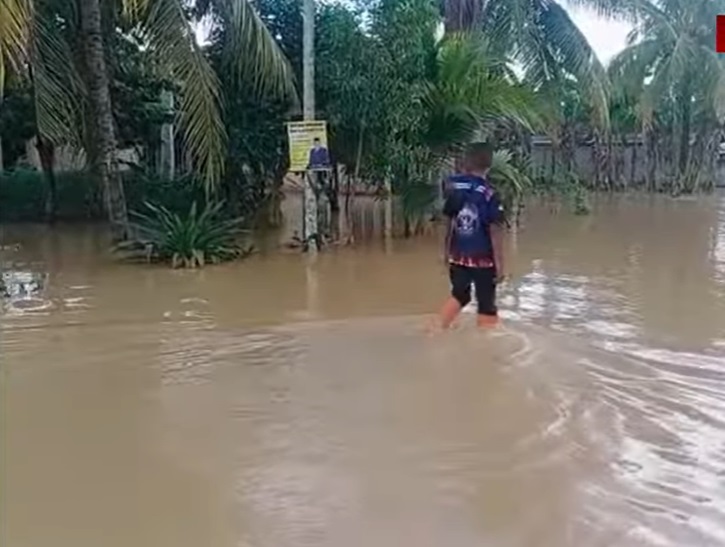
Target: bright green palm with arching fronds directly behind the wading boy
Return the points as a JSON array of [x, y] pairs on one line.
[[470, 88]]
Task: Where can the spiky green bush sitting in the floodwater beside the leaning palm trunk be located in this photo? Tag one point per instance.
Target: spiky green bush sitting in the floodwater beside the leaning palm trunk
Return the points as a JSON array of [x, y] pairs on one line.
[[191, 240]]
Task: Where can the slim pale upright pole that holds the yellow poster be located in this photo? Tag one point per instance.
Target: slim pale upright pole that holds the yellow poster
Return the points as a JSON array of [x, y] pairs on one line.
[[308, 100]]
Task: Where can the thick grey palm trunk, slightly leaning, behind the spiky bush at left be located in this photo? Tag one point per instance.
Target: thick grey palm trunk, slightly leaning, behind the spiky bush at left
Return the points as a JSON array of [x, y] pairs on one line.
[[105, 160]]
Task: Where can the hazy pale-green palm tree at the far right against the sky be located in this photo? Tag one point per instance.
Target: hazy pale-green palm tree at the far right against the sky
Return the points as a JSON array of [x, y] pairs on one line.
[[670, 67]]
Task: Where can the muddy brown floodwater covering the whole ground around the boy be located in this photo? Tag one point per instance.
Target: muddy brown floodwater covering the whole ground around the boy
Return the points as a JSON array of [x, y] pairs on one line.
[[273, 403]]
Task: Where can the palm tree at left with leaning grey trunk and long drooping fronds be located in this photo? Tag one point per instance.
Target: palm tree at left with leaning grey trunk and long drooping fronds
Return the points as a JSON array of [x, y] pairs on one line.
[[64, 38]]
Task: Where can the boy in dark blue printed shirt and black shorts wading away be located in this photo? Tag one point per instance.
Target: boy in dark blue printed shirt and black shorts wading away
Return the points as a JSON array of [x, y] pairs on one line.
[[474, 238]]
